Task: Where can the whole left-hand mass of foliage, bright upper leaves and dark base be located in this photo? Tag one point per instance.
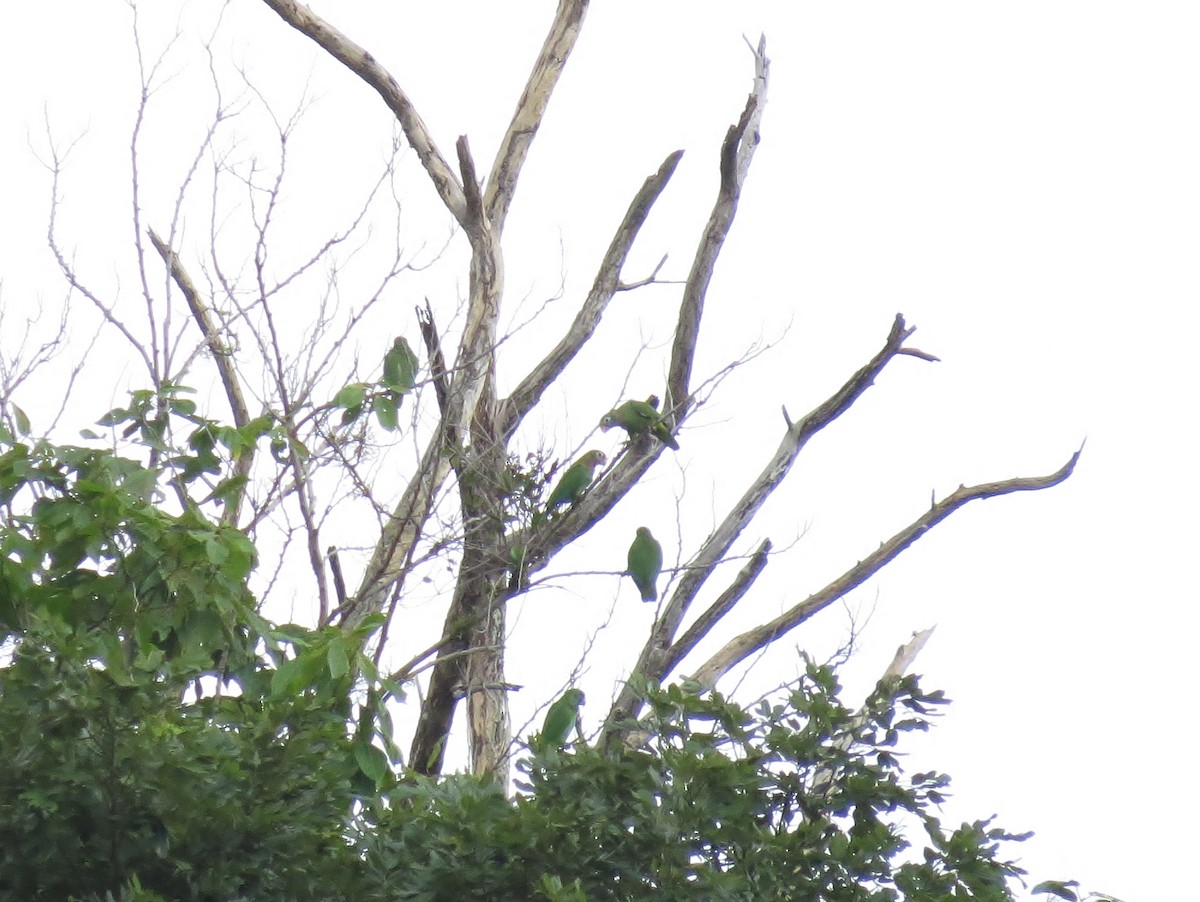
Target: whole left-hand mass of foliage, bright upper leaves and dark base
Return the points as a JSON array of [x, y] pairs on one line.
[[113, 614]]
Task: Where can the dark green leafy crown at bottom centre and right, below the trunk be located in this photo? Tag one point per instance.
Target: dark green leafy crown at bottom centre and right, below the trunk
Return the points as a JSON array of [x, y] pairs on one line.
[[799, 801]]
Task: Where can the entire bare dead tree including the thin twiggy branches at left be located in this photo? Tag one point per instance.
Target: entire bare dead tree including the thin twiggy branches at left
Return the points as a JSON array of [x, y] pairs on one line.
[[465, 491]]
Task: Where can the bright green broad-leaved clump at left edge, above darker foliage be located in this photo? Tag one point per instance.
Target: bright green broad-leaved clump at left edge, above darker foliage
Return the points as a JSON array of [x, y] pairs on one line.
[[86, 549]]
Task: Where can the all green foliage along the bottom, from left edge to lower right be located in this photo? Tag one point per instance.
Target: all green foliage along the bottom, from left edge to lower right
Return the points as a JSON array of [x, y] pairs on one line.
[[129, 775]]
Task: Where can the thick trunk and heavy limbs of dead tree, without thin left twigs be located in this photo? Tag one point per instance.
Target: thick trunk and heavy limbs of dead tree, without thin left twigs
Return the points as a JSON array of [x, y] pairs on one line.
[[477, 426]]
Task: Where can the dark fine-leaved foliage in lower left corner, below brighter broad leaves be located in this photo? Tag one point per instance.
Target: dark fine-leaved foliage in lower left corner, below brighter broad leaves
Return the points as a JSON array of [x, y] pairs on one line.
[[235, 798]]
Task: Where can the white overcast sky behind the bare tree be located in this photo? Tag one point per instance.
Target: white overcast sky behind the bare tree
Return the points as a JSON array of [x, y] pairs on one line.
[[1022, 181]]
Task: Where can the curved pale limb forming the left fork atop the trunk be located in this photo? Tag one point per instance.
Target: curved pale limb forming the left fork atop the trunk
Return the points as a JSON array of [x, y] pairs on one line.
[[367, 68]]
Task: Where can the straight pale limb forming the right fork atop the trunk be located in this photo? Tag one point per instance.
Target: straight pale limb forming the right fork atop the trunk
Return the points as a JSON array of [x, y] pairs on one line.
[[531, 109]]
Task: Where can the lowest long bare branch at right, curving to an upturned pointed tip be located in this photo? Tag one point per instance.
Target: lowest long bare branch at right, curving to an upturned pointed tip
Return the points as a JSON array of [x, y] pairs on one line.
[[749, 642]]
